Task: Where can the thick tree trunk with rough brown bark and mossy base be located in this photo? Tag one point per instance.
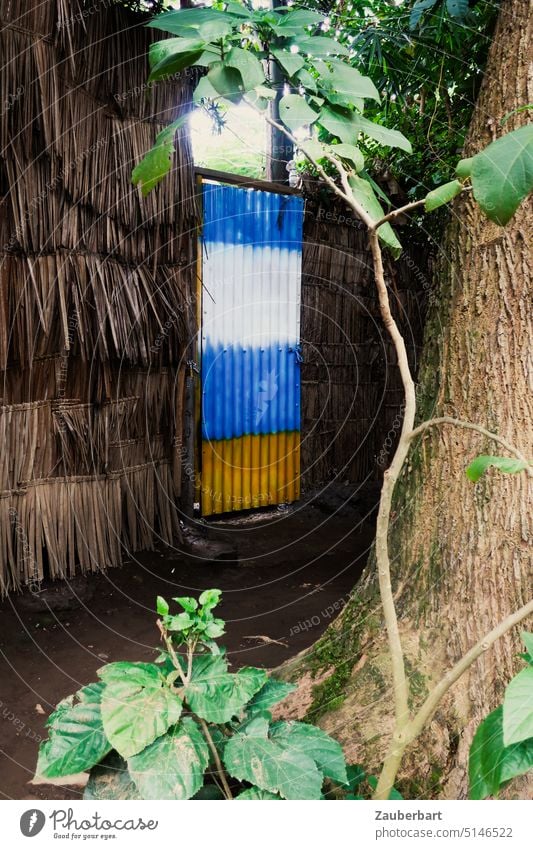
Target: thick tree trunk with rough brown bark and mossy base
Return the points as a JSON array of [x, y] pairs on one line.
[[460, 551]]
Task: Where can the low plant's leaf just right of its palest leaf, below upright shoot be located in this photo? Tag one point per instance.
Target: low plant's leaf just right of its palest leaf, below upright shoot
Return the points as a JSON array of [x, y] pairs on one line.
[[218, 695]]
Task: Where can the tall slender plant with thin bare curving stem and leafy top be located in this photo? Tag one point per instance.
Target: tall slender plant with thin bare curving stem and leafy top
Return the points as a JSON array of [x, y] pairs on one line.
[[237, 45]]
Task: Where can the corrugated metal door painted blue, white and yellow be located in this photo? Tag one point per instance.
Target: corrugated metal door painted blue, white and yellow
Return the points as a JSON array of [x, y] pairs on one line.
[[251, 254]]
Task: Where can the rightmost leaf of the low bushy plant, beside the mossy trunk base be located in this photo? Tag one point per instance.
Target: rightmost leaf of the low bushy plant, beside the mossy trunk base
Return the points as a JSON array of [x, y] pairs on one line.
[[315, 743]]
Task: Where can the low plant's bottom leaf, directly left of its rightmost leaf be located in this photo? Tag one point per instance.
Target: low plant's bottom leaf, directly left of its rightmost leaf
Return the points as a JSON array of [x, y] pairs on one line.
[[262, 762]]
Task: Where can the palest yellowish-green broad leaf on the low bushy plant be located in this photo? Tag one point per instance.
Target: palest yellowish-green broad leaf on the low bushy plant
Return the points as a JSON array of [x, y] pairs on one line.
[[137, 708]]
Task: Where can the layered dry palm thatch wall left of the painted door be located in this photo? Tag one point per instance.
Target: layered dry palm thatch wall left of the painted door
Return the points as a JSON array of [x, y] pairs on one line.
[[96, 291]]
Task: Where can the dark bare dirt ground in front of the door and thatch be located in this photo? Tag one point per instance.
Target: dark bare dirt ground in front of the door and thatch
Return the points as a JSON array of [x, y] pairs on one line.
[[284, 575]]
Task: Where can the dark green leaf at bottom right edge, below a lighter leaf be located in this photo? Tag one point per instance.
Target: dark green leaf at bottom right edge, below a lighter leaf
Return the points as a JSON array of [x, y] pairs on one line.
[[491, 763]]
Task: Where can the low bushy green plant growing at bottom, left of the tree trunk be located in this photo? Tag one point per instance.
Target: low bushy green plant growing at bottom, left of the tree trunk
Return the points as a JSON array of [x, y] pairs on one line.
[[186, 727]]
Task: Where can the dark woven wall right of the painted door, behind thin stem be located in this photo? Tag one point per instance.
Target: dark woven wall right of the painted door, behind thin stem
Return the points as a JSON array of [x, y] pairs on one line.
[[351, 387]]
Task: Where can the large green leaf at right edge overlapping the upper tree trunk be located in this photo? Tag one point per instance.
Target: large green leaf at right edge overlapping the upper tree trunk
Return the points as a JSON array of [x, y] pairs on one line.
[[502, 174]]
